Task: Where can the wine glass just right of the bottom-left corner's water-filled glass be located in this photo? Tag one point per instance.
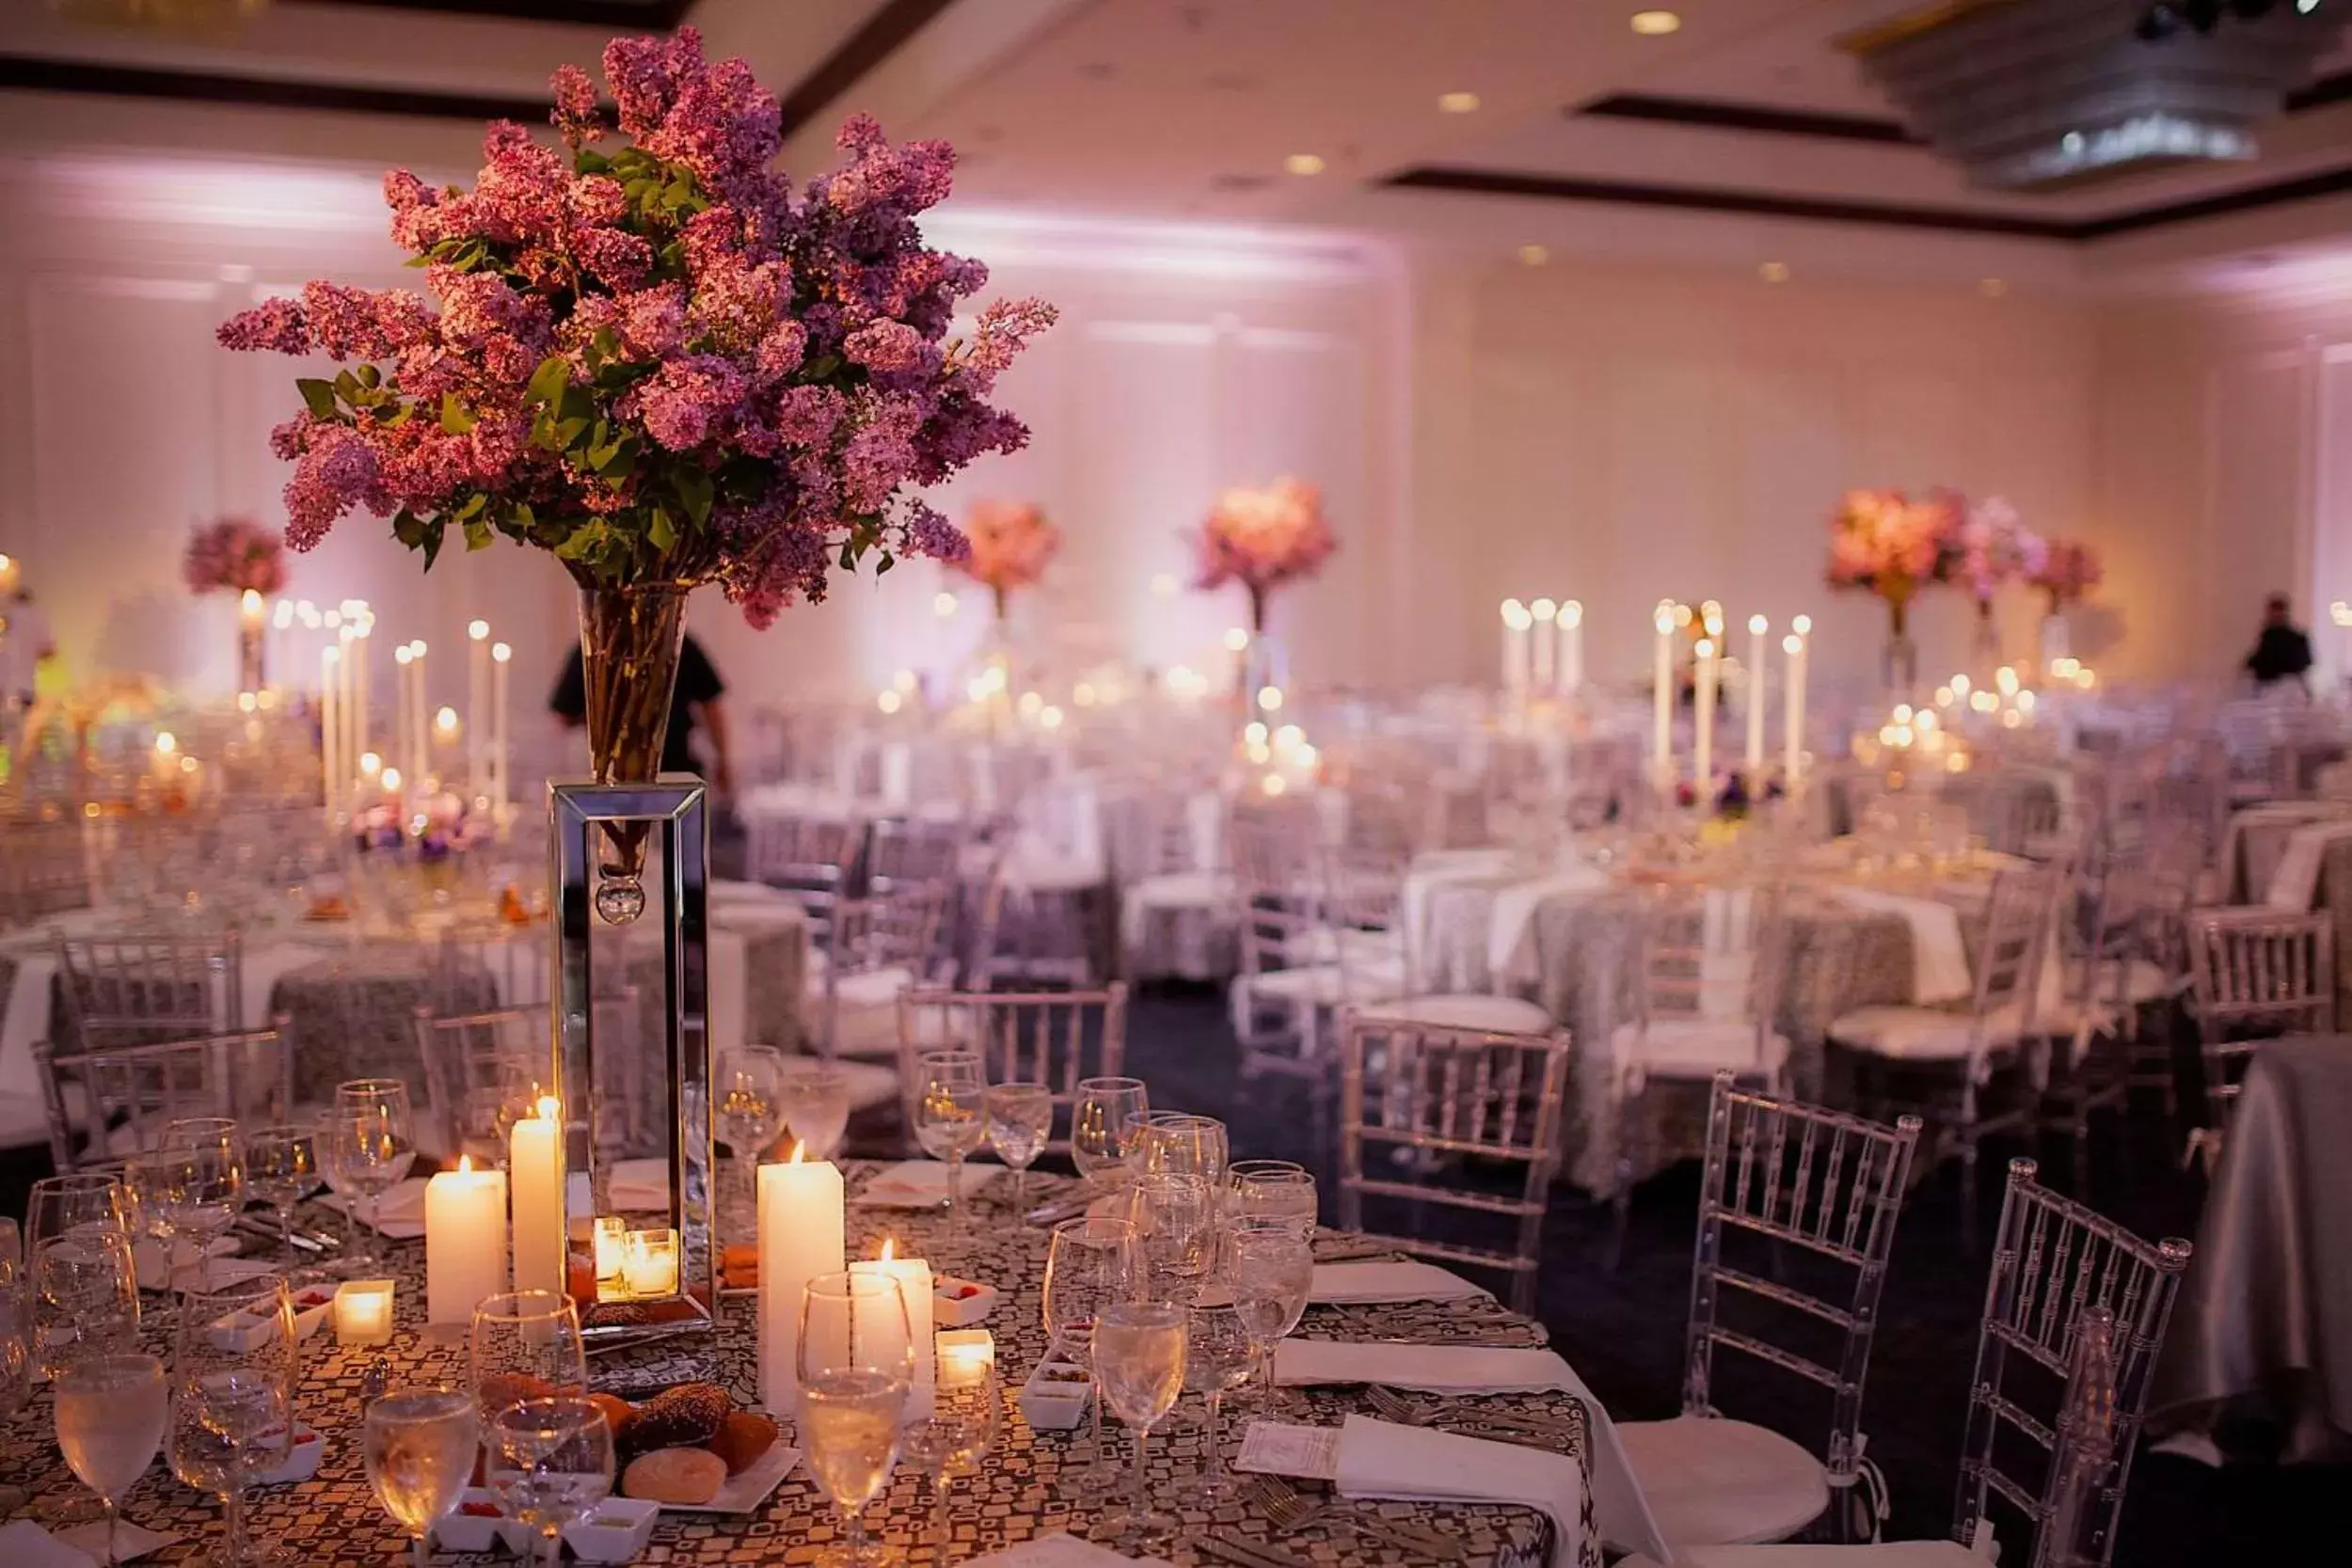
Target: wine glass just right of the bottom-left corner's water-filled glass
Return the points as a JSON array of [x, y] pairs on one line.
[[234, 1400]]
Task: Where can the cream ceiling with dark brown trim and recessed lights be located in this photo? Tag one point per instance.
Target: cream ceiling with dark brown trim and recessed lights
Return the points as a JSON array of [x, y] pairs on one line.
[[1742, 135]]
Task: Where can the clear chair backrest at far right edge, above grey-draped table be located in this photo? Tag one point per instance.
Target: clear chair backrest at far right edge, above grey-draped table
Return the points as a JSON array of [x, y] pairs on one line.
[[2257, 972]]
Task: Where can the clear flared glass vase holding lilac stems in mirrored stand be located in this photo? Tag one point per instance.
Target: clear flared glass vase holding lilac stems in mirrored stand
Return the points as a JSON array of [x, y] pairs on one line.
[[629, 659]]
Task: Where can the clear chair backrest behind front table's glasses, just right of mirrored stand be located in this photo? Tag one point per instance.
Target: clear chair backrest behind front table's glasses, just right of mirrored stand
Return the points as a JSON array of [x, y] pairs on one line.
[[1022, 1038]]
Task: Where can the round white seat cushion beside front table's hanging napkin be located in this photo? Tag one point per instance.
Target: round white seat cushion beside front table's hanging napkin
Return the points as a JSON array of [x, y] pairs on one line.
[[1716, 1482]]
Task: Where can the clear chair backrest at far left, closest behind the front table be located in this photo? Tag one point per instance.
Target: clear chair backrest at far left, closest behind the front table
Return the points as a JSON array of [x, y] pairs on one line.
[[119, 1099]]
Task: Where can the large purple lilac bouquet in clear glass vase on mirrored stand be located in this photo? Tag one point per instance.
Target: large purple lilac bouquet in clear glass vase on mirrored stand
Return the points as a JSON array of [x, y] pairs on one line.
[[660, 366]]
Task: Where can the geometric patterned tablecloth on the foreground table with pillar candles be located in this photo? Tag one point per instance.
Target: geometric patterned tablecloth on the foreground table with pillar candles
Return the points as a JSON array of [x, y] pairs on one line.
[[1020, 1494]]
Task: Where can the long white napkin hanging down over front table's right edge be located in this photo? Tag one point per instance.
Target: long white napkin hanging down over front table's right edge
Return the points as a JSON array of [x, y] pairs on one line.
[[1476, 1369]]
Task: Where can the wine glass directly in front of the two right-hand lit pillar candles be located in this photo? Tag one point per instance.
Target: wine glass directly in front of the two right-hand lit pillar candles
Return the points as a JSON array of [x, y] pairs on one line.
[[855, 1369]]
